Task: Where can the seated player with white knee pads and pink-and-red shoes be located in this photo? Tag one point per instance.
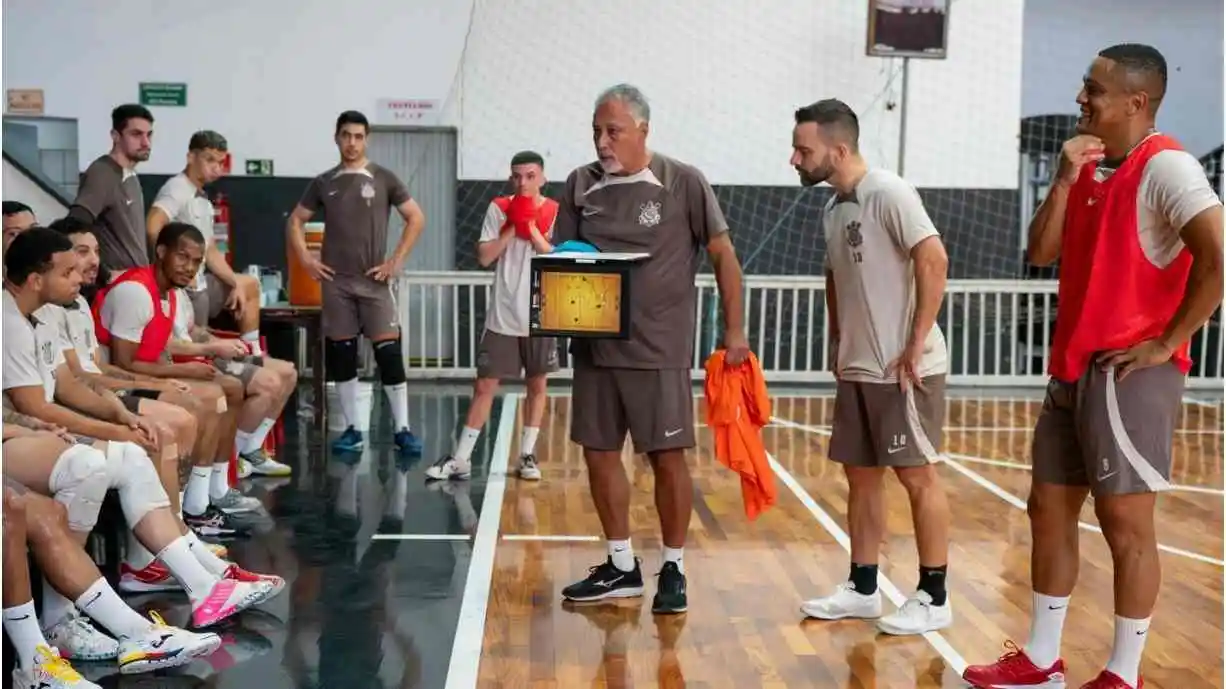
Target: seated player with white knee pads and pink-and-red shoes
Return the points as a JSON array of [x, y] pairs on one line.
[[41, 269]]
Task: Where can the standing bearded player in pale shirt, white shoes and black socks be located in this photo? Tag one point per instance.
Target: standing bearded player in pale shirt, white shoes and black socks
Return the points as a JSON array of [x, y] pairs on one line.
[[886, 281]]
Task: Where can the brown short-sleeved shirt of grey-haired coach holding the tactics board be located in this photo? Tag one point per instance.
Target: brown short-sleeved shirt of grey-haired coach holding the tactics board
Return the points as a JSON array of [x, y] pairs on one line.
[[668, 210]]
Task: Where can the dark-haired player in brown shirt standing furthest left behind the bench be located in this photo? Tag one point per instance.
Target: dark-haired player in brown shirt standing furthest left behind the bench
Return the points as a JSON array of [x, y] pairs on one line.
[[111, 197]]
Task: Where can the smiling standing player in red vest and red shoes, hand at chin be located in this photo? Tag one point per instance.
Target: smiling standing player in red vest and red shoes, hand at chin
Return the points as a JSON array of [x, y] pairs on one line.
[[1138, 232]]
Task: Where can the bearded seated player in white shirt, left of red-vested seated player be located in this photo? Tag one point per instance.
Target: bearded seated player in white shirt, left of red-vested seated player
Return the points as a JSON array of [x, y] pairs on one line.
[[158, 399]]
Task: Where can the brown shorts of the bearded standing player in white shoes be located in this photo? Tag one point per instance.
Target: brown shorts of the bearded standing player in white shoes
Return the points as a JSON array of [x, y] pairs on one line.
[[878, 425]]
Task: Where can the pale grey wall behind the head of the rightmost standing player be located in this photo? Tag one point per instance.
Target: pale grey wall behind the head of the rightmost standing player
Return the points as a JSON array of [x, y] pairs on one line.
[[1064, 37]]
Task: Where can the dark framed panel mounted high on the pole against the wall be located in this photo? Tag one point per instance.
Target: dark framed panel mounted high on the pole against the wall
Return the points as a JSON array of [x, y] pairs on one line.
[[908, 29]]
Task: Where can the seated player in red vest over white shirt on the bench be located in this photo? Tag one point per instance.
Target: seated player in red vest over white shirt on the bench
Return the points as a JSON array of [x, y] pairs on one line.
[[140, 339]]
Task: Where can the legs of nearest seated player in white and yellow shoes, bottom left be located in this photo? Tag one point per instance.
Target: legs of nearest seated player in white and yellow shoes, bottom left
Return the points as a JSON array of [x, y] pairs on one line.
[[139, 644]]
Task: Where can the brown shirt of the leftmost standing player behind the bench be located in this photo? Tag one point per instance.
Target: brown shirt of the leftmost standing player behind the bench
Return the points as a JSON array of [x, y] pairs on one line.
[[112, 198]]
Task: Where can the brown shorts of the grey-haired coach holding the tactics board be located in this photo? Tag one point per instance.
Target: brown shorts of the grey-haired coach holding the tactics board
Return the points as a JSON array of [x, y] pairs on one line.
[[655, 406]]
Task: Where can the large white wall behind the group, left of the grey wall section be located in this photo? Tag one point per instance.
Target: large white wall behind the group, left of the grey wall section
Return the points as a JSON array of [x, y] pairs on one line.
[[724, 78]]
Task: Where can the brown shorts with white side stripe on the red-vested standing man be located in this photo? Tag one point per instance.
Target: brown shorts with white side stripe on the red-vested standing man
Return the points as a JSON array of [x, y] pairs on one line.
[[1113, 436]]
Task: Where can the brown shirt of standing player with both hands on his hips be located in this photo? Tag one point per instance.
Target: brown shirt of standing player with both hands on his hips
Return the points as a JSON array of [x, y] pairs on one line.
[[357, 207]]
